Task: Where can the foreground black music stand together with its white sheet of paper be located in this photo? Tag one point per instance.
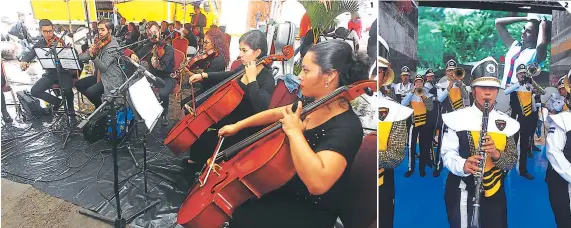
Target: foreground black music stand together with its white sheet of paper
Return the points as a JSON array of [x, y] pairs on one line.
[[119, 221]]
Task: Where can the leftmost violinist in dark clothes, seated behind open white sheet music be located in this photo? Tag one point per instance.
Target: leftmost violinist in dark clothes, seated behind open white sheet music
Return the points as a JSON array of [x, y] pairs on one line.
[[50, 77]]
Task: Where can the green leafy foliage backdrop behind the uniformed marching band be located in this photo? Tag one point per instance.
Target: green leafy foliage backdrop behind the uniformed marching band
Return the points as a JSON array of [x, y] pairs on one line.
[[467, 37]]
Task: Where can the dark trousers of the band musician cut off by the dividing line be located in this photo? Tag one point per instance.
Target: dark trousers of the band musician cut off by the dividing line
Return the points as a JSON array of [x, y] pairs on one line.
[[387, 199]]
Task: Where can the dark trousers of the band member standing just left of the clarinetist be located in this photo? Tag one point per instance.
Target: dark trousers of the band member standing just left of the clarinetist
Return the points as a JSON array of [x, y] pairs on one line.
[[422, 133]]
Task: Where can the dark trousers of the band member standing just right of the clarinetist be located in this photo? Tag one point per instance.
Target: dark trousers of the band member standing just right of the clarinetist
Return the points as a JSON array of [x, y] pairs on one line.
[[526, 131]]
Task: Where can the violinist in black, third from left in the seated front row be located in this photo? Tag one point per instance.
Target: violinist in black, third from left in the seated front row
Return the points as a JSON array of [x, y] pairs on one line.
[[159, 66]]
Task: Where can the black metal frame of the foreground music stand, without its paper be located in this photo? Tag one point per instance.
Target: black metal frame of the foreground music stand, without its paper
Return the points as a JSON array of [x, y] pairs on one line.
[[119, 221]]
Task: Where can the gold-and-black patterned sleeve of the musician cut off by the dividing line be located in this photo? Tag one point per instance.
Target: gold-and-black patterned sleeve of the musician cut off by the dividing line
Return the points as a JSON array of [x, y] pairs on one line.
[[397, 142]]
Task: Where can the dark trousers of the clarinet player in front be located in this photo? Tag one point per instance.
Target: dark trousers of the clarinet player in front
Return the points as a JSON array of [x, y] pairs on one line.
[[493, 210]]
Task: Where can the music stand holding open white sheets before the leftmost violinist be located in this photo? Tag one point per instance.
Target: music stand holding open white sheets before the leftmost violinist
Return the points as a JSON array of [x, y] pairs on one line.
[[60, 57]]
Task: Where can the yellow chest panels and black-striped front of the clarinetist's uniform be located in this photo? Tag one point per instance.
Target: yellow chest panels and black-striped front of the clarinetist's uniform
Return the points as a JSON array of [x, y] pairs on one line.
[[492, 174]]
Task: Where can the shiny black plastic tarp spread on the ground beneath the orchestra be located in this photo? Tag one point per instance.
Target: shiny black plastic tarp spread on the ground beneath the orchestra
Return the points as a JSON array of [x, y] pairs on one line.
[[83, 175]]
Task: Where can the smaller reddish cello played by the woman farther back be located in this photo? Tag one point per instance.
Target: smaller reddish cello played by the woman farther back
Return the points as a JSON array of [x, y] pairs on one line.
[[215, 104]]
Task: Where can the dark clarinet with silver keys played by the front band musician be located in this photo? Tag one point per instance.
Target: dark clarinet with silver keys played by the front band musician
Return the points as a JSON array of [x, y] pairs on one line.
[[479, 177]]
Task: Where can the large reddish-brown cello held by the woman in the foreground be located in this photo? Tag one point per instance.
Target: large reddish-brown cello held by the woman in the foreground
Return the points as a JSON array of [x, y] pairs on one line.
[[255, 166]]
